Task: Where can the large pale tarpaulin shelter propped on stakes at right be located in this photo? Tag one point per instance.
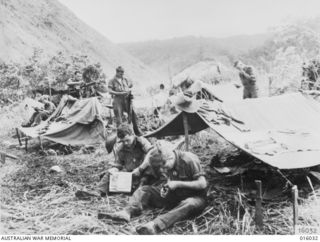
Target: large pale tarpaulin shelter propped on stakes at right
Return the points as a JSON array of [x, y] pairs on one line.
[[282, 131]]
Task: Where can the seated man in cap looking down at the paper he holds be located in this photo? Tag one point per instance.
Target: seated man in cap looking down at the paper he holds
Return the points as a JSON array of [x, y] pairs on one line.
[[130, 153]]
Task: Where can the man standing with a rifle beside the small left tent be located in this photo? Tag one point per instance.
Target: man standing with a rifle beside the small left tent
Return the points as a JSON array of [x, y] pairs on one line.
[[120, 89]]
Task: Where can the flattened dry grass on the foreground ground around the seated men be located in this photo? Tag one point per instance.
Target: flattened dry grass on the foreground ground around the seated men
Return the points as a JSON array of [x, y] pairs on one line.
[[35, 201]]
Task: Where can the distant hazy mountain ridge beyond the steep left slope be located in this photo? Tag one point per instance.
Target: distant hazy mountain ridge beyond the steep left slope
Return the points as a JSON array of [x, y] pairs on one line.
[[171, 56]]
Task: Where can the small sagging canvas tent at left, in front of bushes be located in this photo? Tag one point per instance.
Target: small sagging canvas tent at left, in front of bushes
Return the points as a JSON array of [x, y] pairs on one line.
[[73, 123]]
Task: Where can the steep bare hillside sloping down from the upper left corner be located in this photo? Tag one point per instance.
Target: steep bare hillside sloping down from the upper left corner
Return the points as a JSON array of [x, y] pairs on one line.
[[52, 27]]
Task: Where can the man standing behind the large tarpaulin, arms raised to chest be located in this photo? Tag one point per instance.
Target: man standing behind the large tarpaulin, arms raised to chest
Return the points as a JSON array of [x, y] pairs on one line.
[[248, 79]]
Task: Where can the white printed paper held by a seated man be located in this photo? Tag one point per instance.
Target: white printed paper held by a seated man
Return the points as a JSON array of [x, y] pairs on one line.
[[120, 182]]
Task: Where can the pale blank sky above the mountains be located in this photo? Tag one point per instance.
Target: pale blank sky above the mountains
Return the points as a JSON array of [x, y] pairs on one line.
[[142, 20]]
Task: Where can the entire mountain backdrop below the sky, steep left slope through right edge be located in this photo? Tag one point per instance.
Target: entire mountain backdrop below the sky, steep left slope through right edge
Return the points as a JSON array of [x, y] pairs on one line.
[[52, 27]]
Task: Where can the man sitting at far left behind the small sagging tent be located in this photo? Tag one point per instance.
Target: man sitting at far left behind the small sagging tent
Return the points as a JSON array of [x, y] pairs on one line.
[[41, 114]]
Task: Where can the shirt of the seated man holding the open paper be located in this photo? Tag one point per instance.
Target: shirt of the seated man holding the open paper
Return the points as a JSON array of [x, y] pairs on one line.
[[130, 158]]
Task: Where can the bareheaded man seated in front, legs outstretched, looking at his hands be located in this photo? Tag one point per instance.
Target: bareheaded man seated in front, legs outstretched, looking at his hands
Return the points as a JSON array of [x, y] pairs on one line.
[[184, 191]]
